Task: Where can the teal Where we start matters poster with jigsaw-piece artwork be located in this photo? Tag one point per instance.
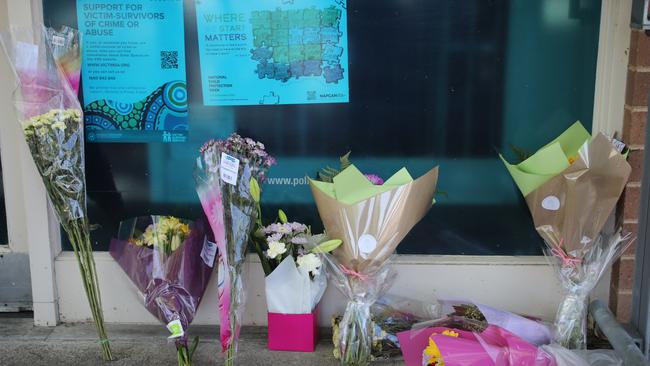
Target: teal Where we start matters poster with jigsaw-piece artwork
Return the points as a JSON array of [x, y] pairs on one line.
[[273, 51]]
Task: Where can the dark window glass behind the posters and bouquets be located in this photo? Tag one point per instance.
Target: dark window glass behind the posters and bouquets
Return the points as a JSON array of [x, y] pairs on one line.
[[431, 82]]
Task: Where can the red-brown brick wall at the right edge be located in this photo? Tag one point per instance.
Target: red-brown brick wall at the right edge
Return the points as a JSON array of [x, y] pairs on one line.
[[634, 125]]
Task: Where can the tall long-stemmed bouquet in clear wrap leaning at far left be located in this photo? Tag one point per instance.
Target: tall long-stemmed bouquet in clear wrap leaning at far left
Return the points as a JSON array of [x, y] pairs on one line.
[[52, 124]]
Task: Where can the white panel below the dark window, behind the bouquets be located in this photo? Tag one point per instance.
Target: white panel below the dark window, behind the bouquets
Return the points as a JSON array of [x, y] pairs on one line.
[[526, 285]]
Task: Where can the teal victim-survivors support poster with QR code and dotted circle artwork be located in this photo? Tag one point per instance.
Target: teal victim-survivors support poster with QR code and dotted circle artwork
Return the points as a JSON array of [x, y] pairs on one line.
[[133, 70]]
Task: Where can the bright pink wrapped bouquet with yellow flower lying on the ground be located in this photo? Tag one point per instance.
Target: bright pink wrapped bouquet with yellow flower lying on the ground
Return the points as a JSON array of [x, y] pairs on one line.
[[459, 342]]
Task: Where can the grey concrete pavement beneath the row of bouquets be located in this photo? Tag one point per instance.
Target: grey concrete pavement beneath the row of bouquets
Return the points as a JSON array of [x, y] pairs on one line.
[[76, 344]]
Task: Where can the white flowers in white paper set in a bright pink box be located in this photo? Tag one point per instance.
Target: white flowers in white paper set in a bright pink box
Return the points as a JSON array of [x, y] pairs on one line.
[[295, 282]]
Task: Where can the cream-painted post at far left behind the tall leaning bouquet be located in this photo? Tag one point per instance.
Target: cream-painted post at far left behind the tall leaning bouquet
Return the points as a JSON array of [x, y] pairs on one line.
[[32, 226]]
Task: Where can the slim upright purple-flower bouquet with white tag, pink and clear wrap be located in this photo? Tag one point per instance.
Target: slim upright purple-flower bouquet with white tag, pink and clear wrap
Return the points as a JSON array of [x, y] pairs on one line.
[[228, 175]]
